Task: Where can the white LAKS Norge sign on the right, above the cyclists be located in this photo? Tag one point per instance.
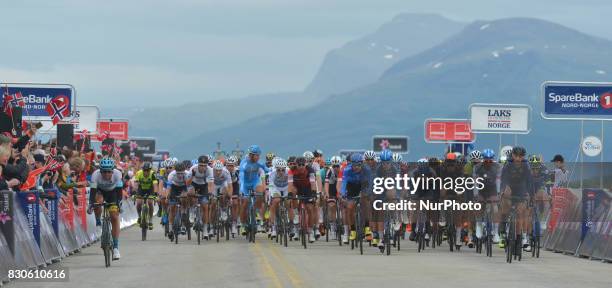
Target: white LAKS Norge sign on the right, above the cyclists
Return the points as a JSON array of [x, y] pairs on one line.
[[500, 118]]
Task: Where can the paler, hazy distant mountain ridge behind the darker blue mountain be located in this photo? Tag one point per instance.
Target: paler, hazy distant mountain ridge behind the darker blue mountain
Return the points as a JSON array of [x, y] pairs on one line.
[[356, 64]]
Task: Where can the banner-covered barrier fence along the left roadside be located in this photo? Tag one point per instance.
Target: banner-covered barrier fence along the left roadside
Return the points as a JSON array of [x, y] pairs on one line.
[[38, 228]]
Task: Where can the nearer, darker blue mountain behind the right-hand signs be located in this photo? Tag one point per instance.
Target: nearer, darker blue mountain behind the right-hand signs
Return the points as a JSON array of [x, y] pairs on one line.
[[501, 61]]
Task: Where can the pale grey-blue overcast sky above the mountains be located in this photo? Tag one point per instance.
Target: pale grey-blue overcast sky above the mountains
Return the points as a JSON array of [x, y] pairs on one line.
[[151, 53]]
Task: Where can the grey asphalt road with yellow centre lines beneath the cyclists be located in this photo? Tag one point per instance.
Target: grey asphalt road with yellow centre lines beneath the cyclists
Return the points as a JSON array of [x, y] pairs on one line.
[[235, 263]]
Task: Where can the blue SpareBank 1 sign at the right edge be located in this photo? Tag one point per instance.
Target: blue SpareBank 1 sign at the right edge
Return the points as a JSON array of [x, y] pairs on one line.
[[577, 100]]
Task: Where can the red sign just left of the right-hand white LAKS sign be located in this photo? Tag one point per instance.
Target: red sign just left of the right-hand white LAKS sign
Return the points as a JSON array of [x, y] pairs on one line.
[[448, 131]]
